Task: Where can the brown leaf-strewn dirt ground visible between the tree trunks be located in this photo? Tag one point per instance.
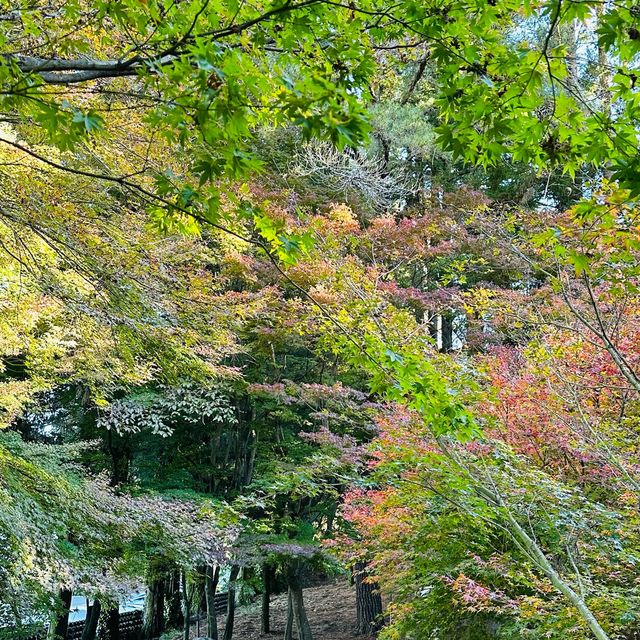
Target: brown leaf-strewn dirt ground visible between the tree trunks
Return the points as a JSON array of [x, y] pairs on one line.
[[331, 609]]
